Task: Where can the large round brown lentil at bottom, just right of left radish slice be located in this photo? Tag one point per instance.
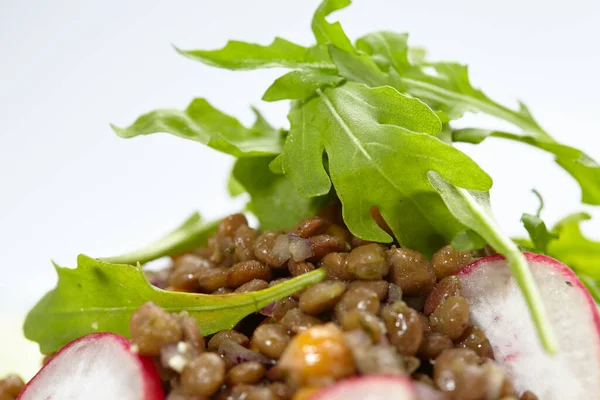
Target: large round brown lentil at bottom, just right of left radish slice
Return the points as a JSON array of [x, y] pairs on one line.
[[204, 375]]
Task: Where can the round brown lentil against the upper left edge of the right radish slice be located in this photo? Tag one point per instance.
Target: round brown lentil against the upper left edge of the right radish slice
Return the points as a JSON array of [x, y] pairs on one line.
[[451, 317]]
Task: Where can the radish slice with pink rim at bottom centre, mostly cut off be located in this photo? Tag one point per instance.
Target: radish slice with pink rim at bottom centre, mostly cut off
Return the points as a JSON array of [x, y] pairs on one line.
[[370, 387]]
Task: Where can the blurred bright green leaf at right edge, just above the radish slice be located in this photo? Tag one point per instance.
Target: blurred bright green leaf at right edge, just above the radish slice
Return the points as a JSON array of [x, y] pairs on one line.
[[573, 248]]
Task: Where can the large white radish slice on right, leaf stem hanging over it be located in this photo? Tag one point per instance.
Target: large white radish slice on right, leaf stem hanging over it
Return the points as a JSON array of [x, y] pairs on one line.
[[497, 307]]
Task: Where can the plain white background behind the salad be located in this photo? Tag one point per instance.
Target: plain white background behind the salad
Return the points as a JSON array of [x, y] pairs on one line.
[[68, 185]]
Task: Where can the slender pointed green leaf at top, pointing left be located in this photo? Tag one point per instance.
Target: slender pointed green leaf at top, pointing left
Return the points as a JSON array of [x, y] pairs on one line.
[[280, 53]]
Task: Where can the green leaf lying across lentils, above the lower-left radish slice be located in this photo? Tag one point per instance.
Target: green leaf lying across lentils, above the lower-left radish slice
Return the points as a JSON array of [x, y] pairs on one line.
[[100, 297]]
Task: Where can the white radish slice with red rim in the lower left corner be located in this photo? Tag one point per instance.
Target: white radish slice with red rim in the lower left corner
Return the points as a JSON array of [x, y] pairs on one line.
[[98, 366]]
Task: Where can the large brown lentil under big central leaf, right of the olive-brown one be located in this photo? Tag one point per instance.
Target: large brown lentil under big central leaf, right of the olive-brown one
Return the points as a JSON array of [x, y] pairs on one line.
[[410, 270]]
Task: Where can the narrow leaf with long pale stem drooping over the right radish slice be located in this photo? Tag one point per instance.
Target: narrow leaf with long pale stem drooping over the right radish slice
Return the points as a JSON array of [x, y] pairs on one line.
[[473, 210]]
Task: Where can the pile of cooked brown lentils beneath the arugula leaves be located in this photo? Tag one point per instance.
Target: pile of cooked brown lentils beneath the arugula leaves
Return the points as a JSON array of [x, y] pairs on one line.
[[382, 309]]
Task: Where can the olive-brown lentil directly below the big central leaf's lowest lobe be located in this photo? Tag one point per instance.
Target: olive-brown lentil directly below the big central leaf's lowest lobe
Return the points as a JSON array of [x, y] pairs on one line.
[[368, 262]]
